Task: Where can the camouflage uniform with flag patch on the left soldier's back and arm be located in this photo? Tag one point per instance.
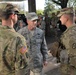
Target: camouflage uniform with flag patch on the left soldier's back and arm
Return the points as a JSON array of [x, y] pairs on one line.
[[13, 52]]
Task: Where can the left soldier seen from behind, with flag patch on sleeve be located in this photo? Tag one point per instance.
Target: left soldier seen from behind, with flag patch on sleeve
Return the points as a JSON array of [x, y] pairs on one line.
[[13, 47]]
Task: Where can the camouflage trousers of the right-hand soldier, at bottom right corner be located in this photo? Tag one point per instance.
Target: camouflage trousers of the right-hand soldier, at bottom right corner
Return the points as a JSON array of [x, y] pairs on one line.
[[67, 69]]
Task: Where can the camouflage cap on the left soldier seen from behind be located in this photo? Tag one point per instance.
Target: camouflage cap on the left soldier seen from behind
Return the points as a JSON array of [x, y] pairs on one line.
[[7, 10]]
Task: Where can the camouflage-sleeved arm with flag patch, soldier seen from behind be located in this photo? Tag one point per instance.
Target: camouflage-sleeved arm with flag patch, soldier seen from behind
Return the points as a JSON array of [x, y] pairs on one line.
[[21, 59]]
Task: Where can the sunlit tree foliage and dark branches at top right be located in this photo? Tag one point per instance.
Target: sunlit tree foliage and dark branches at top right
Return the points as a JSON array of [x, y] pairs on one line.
[[54, 5]]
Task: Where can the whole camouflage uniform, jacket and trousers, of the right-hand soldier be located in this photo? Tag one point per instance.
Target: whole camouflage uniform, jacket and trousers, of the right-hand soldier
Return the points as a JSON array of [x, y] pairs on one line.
[[69, 40]]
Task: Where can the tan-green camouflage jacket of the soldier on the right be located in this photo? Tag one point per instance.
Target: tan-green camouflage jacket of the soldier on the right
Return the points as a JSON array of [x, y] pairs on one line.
[[69, 41]]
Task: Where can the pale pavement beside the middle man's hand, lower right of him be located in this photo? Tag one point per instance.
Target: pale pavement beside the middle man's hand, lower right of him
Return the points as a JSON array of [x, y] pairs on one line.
[[53, 67]]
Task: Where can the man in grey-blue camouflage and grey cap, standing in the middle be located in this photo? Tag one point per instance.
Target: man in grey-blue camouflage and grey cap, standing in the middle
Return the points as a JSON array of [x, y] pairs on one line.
[[36, 44]]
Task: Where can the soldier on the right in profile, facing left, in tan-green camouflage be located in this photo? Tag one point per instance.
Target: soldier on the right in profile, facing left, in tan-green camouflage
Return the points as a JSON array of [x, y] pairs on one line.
[[68, 39]]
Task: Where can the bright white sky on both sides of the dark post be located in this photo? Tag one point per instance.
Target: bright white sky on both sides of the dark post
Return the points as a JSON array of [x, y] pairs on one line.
[[24, 4]]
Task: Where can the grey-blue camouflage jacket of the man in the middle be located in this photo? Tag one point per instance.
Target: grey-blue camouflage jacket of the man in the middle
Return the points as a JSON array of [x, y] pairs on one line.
[[37, 47]]
